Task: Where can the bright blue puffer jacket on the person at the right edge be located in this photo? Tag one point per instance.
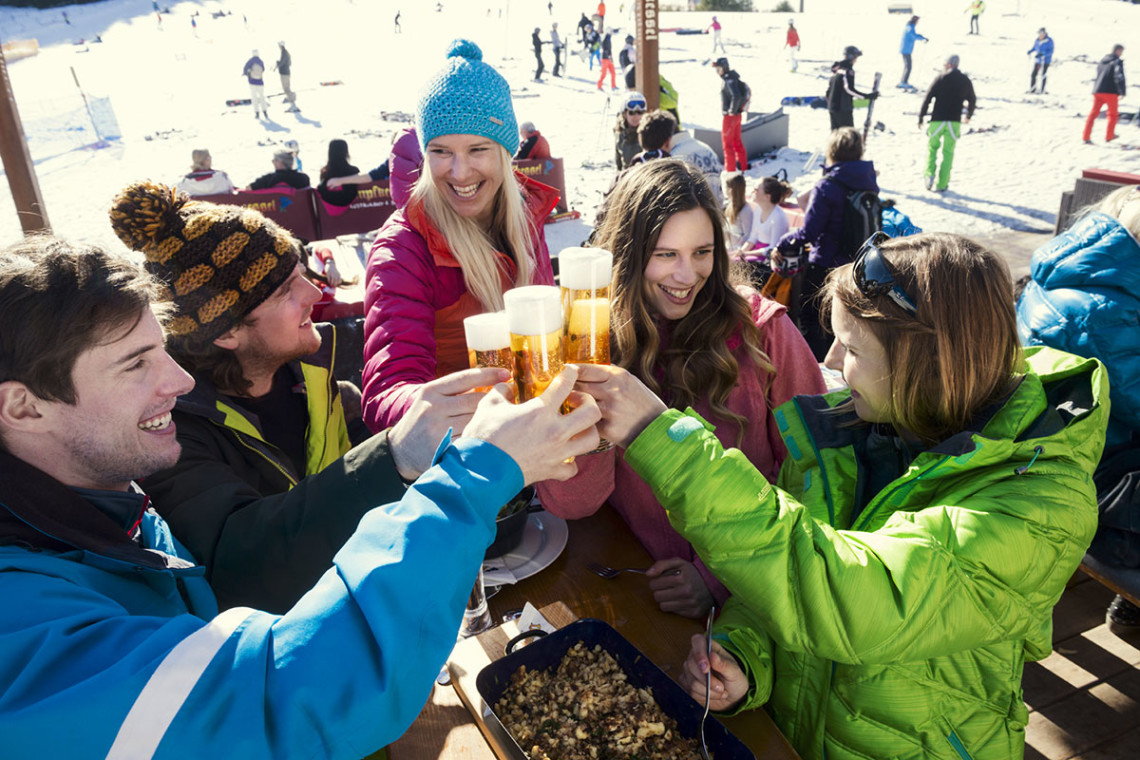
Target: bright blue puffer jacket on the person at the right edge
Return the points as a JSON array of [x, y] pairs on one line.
[[1085, 298]]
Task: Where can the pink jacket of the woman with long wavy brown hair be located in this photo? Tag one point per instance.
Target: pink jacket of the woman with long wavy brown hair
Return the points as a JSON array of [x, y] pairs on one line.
[[606, 477]]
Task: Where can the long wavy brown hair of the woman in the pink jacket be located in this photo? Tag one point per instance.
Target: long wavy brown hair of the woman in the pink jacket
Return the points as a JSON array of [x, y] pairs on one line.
[[698, 363]]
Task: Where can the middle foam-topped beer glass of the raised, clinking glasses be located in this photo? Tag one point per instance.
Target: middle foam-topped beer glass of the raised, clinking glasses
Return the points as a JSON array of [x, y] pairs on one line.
[[535, 318]]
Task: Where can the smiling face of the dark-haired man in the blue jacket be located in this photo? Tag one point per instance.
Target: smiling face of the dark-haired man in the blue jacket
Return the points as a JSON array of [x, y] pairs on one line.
[[120, 428]]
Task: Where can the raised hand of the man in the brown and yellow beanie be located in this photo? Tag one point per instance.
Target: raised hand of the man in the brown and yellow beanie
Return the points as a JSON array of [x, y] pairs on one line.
[[445, 403]]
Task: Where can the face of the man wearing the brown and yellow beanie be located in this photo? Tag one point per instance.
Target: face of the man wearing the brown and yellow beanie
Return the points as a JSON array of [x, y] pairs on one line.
[[280, 330]]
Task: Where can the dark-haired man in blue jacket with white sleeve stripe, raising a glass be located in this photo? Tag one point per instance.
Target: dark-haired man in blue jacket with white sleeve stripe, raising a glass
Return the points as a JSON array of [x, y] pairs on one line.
[[111, 643]]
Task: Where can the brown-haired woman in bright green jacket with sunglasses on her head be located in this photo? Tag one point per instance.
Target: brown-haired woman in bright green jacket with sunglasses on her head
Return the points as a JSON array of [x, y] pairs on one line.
[[889, 592]]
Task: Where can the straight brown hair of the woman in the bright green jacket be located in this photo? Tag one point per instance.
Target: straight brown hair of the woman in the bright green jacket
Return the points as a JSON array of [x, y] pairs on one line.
[[960, 354]]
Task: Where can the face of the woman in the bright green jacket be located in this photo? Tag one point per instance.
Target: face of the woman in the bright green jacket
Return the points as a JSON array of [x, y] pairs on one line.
[[862, 359]]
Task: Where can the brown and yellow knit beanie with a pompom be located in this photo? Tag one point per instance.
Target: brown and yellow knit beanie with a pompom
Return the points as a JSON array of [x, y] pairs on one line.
[[221, 263]]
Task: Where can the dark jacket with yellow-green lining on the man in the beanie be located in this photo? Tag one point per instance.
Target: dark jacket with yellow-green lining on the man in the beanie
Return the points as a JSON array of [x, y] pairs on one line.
[[265, 533]]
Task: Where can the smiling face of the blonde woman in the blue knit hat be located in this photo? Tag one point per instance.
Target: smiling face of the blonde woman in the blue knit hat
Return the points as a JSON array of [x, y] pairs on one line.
[[468, 171]]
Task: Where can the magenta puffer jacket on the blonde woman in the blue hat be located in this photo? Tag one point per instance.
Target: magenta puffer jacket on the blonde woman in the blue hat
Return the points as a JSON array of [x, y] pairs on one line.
[[417, 300]]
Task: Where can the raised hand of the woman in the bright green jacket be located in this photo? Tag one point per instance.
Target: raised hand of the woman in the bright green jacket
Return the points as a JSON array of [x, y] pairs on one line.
[[626, 405]]
